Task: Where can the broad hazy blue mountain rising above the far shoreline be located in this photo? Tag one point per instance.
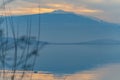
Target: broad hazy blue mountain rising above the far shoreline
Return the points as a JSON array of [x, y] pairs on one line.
[[67, 27]]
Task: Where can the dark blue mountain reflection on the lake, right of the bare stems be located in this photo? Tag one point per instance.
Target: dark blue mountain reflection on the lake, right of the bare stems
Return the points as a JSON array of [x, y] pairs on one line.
[[71, 59]]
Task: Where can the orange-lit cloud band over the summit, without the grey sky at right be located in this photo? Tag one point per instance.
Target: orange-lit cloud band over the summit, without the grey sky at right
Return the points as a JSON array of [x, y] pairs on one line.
[[20, 7]]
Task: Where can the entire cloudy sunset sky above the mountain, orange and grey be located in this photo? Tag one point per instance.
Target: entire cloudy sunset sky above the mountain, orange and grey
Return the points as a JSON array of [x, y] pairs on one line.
[[107, 10]]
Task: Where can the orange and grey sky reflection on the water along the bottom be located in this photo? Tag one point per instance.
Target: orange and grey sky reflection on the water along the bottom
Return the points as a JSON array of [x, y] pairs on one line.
[[107, 72]]
